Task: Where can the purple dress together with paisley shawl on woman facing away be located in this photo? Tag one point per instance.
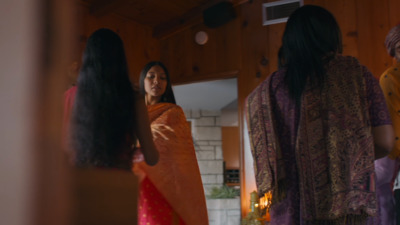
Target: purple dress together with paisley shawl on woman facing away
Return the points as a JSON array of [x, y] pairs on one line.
[[317, 157]]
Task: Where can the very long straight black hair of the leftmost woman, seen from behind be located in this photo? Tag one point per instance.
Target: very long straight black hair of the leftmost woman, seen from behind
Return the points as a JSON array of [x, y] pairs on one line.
[[103, 110]]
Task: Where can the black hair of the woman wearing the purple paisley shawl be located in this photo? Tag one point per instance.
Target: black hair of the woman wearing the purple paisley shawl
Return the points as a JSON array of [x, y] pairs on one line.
[[311, 38]]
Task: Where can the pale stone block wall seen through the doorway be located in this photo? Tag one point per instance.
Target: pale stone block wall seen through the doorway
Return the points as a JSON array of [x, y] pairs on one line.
[[207, 139]]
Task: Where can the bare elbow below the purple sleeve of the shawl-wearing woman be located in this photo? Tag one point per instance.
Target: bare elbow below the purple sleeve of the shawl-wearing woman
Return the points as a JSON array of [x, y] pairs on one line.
[[383, 140]]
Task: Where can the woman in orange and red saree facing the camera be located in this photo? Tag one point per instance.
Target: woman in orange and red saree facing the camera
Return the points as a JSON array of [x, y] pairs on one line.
[[171, 192]]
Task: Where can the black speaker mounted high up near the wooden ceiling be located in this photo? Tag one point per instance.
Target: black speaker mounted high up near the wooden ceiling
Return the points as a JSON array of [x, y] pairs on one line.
[[219, 14]]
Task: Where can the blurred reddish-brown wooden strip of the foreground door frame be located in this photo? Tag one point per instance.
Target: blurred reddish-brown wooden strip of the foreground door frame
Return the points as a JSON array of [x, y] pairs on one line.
[[52, 193]]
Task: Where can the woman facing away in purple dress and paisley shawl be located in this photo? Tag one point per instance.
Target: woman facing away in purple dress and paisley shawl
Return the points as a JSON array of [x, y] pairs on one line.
[[316, 126]]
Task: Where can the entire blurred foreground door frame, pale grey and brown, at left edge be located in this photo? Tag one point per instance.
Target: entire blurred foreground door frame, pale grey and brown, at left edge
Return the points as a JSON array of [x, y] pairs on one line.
[[35, 47]]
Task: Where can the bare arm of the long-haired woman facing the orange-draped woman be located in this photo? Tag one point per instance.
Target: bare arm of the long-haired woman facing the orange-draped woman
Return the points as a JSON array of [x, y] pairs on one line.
[[143, 131]]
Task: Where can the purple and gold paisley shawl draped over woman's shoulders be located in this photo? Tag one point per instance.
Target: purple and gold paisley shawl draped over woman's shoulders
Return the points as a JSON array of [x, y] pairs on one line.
[[334, 147]]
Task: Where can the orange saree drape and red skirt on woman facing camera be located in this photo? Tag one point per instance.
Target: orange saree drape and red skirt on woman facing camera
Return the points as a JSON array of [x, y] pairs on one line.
[[175, 179]]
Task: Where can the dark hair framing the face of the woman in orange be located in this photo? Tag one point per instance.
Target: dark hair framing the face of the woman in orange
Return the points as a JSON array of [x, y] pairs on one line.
[[168, 95]]
